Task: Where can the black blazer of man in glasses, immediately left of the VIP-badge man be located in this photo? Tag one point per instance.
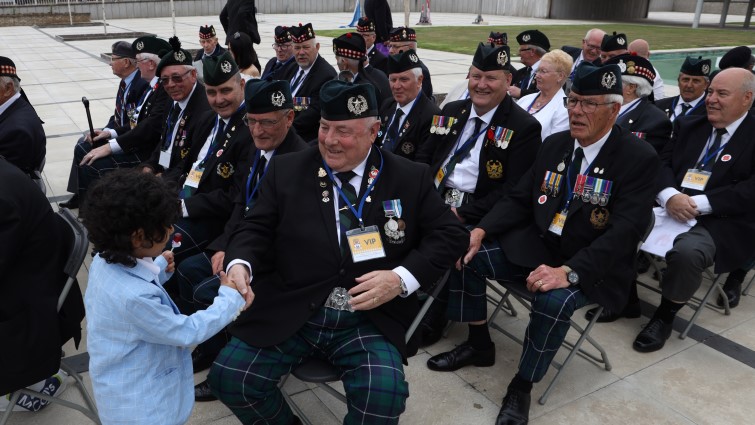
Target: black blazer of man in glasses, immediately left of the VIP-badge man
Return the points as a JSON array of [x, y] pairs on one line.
[[292, 143]]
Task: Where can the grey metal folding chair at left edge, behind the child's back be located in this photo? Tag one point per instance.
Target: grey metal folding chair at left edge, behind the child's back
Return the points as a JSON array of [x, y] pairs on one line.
[[79, 250]]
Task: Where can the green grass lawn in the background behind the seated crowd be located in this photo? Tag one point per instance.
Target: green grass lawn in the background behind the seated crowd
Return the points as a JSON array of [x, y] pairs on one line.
[[465, 39]]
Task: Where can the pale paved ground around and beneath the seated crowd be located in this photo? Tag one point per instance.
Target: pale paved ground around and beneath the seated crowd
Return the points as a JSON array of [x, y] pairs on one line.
[[703, 380]]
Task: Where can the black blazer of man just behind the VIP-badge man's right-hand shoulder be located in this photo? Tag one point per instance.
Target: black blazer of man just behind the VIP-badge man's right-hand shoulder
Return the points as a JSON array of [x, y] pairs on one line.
[[415, 130]]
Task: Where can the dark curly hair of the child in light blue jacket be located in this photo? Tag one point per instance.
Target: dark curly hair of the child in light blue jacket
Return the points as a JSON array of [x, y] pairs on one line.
[[123, 202]]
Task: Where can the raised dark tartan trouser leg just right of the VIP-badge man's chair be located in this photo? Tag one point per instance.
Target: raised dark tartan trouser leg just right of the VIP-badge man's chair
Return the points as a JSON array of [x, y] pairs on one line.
[[466, 288]]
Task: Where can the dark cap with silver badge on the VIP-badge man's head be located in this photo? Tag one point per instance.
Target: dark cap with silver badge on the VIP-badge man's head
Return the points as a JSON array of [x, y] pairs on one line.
[[343, 101]]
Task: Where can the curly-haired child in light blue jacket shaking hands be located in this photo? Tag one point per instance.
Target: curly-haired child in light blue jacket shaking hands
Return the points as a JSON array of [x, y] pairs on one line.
[[138, 342]]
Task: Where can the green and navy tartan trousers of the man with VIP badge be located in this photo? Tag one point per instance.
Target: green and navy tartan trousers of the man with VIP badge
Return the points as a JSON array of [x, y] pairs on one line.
[[246, 378]]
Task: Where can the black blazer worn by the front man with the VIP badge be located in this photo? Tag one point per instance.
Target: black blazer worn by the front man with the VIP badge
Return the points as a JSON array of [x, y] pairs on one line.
[[291, 240]]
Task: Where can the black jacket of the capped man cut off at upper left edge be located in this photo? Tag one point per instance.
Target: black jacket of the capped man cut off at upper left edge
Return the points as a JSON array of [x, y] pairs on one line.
[[22, 138]]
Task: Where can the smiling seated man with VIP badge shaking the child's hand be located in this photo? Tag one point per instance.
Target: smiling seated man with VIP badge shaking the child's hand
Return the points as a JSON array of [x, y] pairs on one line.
[[310, 243]]
